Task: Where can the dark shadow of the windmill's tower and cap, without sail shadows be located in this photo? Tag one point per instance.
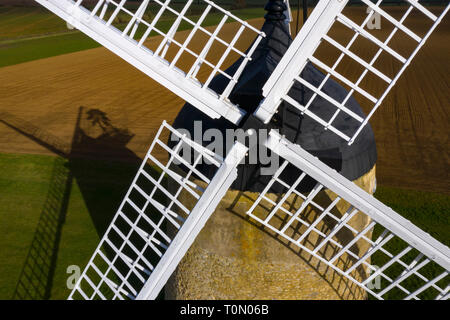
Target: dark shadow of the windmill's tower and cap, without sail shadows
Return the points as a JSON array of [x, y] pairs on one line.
[[102, 165]]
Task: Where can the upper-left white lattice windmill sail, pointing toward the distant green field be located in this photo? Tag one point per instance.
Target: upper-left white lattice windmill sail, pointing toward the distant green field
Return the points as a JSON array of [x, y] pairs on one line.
[[178, 70]]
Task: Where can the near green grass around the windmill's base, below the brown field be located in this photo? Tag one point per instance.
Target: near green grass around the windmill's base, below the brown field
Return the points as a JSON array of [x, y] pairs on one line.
[[53, 212]]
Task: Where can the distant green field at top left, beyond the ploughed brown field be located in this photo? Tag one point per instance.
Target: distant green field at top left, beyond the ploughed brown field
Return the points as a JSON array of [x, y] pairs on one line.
[[28, 34]]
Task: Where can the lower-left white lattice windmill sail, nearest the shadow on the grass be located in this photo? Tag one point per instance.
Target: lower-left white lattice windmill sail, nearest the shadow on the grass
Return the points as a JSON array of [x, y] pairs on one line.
[[153, 229]]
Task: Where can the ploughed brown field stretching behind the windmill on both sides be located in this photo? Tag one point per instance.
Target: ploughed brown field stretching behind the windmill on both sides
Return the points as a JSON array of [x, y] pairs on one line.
[[40, 103]]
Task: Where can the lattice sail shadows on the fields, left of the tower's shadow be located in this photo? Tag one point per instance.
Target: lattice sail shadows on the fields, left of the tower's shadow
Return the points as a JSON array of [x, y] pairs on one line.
[[36, 277]]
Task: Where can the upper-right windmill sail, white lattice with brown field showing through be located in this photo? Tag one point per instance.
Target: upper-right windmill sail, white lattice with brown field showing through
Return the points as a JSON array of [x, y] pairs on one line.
[[354, 52]]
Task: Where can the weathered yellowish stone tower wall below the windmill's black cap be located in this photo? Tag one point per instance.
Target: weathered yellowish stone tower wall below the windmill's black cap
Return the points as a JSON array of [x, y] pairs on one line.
[[233, 258]]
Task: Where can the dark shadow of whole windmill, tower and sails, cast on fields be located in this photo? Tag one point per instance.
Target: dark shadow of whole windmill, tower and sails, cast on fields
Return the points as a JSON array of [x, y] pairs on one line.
[[103, 168]]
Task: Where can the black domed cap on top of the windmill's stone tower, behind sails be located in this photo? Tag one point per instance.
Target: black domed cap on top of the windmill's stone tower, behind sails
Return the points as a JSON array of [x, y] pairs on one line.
[[351, 161]]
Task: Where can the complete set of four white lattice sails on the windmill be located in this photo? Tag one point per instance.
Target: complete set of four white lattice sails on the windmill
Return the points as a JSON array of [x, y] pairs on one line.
[[138, 254]]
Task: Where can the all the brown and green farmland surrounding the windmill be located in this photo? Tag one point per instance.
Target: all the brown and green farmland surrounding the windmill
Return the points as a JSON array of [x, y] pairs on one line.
[[75, 120]]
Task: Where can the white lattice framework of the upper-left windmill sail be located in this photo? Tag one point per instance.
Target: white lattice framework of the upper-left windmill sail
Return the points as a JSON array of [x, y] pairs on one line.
[[97, 25]]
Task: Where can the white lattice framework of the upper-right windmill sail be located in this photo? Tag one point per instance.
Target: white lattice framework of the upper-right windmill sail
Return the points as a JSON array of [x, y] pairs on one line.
[[325, 15]]
